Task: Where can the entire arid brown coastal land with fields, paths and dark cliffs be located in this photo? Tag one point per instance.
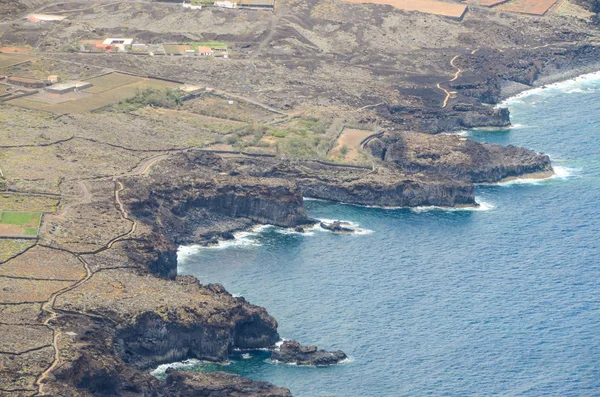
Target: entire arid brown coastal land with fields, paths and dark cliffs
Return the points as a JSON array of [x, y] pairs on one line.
[[329, 99]]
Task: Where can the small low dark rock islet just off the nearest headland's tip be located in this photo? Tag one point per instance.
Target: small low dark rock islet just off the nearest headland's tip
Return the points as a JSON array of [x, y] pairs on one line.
[[292, 352]]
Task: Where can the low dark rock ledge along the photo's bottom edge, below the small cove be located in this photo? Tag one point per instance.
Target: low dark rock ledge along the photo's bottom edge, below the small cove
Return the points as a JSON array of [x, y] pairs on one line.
[[219, 384]]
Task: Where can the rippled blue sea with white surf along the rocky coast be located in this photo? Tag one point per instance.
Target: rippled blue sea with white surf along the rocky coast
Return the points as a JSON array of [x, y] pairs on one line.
[[504, 300]]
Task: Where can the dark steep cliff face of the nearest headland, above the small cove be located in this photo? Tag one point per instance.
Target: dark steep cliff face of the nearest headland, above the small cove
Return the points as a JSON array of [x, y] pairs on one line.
[[156, 338]]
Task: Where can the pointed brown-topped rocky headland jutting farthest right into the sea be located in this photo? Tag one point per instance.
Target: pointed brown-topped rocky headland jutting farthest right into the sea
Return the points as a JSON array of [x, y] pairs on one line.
[[458, 158]]
